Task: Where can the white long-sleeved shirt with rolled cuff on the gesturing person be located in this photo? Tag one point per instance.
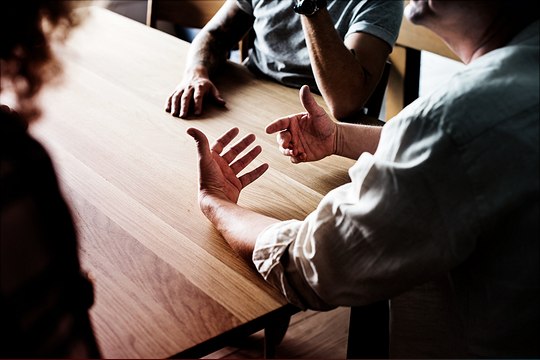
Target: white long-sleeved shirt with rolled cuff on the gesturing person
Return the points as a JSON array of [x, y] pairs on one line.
[[452, 187]]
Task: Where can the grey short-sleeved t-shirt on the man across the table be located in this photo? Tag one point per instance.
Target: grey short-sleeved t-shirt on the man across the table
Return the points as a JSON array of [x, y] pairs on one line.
[[280, 50]]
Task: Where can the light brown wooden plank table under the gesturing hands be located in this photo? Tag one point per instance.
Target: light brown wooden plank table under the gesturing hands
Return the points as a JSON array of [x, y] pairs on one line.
[[167, 284]]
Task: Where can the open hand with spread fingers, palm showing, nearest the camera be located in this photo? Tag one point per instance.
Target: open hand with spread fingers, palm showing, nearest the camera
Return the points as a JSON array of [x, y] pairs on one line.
[[218, 174]]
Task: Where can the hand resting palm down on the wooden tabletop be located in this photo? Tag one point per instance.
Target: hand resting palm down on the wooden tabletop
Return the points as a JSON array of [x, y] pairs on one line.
[[190, 94]]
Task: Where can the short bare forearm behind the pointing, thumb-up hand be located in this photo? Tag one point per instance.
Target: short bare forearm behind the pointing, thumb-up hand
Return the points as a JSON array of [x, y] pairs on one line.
[[351, 140]]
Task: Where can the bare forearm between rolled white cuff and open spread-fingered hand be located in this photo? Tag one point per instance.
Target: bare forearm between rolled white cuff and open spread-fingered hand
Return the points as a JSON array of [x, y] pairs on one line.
[[239, 226]]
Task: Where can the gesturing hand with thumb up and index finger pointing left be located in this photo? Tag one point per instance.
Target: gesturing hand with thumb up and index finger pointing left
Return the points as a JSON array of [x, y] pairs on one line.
[[308, 136]]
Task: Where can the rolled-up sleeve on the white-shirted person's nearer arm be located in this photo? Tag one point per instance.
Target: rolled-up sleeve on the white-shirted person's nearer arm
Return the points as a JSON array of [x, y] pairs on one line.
[[399, 222]]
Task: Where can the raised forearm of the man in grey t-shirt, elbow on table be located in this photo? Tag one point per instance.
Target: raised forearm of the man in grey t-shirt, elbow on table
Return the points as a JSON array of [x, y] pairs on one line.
[[339, 75]]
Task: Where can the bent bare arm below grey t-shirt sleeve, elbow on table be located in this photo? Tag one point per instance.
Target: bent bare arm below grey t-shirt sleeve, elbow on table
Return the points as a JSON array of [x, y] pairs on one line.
[[345, 78]]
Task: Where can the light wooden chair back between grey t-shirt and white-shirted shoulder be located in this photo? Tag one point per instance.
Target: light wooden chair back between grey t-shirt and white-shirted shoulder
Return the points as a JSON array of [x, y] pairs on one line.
[[404, 78]]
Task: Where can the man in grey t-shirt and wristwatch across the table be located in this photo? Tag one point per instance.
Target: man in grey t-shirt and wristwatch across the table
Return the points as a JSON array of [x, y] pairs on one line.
[[339, 50]]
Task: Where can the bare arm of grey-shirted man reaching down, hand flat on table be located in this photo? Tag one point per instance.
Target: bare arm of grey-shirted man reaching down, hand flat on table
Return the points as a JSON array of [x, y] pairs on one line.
[[207, 53]]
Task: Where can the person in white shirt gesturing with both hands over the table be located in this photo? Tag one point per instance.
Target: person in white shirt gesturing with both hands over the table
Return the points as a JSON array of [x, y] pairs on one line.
[[448, 186]]
